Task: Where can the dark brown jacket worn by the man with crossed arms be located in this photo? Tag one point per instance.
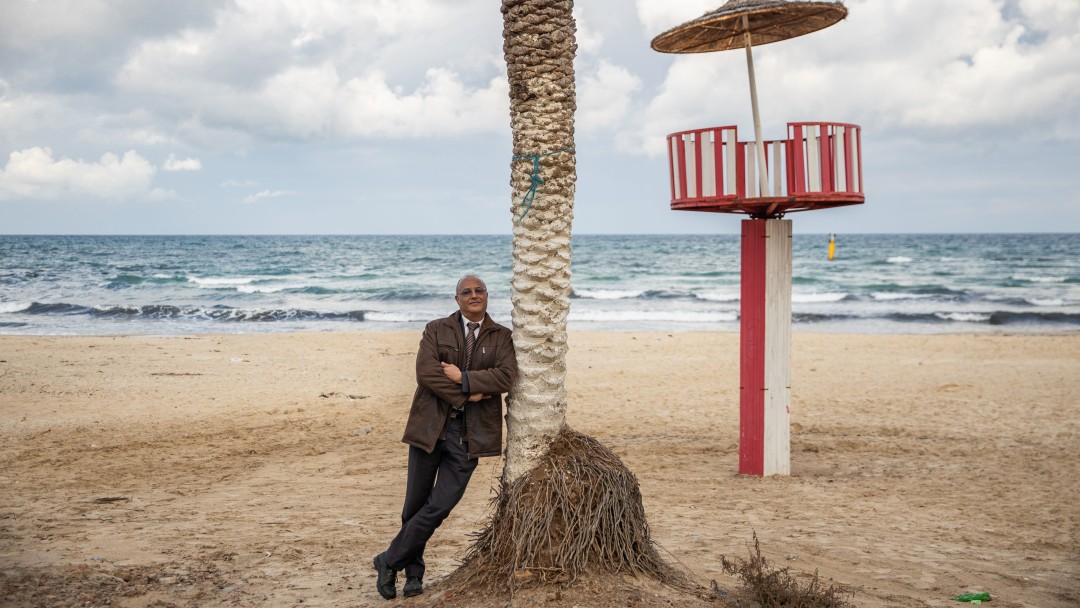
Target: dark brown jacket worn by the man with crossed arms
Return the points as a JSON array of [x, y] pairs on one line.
[[493, 370]]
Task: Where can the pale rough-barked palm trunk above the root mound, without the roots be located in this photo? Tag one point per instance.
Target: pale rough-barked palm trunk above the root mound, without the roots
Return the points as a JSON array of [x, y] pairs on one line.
[[539, 49]]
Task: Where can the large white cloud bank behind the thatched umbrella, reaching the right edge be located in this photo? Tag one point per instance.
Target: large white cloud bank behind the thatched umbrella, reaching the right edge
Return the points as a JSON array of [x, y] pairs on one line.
[[973, 70]]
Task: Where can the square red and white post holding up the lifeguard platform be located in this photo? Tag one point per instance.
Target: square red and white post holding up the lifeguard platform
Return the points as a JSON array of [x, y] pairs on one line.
[[765, 374]]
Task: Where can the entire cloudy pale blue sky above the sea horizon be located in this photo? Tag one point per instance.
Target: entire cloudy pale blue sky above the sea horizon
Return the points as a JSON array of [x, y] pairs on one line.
[[393, 116]]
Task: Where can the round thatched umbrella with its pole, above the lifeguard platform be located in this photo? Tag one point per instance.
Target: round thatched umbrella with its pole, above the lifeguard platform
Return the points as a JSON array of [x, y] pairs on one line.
[[746, 24]]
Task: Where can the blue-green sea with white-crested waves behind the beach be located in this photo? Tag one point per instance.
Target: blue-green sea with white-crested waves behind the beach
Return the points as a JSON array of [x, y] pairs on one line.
[[250, 285]]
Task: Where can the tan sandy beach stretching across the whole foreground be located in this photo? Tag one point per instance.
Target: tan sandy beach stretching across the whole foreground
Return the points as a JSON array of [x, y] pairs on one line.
[[267, 470]]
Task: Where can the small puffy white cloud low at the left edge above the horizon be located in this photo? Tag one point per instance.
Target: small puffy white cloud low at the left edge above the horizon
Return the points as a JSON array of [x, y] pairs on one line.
[[34, 174]]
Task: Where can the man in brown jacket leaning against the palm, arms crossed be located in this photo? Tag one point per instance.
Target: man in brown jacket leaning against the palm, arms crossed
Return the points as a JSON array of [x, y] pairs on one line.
[[465, 362]]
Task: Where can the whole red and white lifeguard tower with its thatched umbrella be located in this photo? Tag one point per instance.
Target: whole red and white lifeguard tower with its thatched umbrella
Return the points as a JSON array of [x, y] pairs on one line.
[[817, 166]]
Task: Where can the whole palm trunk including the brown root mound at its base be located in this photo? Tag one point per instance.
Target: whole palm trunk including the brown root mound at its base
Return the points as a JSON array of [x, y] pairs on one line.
[[568, 506]]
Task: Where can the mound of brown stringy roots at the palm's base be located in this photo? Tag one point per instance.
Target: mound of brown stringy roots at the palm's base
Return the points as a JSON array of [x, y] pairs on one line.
[[579, 511]]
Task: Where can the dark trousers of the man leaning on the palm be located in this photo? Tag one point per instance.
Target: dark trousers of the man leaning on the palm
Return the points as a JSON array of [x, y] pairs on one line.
[[437, 482]]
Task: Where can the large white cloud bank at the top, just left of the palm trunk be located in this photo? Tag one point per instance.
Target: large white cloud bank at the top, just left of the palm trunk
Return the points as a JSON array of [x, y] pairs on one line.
[[326, 70]]
